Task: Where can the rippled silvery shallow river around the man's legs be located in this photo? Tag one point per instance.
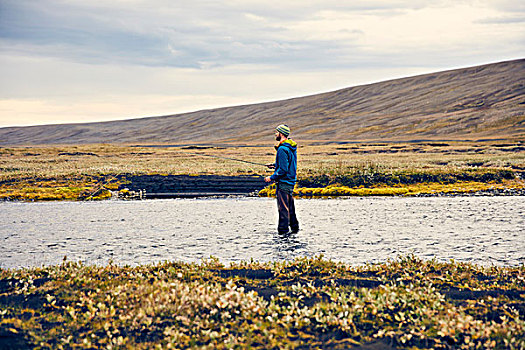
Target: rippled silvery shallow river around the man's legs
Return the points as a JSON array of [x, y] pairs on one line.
[[483, 230]]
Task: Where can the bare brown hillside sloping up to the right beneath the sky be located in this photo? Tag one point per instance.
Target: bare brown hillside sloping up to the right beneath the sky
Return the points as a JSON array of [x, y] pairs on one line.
[[482, 102]]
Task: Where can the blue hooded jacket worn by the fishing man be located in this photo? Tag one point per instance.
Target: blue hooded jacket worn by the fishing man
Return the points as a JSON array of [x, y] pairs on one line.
[[286, 163]]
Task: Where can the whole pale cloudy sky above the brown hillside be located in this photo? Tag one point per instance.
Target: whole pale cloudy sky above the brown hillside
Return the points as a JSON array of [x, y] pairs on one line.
[[69, 61]]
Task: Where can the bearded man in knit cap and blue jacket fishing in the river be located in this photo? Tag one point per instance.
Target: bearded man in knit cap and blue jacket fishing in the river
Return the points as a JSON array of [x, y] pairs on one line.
[[285, 175]]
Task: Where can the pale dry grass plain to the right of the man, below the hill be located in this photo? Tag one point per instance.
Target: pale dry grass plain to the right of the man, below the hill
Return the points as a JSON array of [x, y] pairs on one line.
[[394, 158]]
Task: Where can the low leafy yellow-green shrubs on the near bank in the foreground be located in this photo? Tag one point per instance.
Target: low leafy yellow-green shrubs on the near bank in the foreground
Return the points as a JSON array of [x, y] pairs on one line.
[[306, 303]]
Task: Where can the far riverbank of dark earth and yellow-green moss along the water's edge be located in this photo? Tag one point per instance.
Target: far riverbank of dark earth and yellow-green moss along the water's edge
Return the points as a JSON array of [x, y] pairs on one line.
[[127, 186]]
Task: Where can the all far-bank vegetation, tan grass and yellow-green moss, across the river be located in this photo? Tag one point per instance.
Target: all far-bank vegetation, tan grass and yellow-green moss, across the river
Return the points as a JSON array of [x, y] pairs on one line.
[[90, 171]]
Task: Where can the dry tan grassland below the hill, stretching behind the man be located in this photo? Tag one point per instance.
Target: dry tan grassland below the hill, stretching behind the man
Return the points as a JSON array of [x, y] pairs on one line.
[[68, 171]]
